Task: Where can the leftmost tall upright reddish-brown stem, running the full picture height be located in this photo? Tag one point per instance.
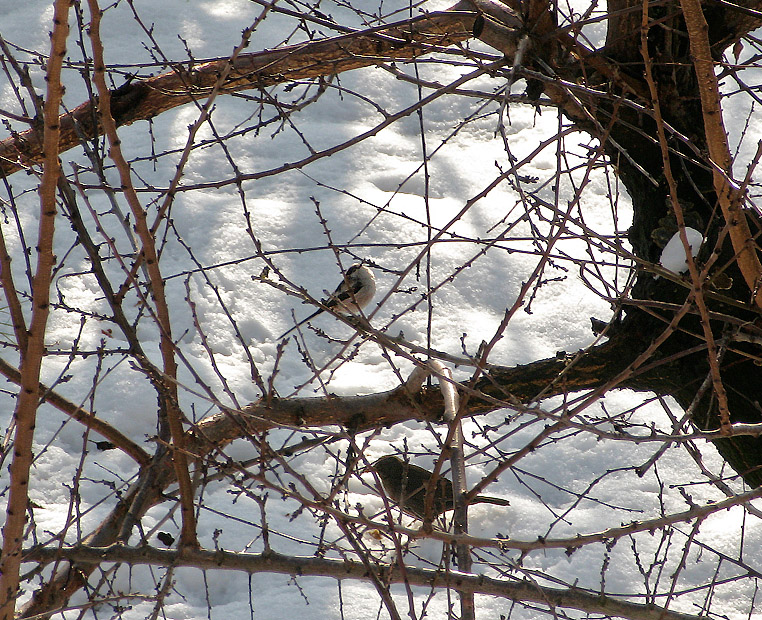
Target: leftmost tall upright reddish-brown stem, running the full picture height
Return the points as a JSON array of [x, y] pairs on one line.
[[31, 357]]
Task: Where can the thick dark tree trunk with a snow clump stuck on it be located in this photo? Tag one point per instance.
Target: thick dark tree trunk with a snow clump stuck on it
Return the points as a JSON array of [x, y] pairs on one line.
[[654, 221]]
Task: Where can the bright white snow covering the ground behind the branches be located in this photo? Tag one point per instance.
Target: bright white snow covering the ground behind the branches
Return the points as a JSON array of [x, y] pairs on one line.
[[350, 188]]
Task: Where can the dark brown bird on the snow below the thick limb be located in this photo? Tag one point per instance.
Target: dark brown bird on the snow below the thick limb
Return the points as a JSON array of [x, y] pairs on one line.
[[405, 485]]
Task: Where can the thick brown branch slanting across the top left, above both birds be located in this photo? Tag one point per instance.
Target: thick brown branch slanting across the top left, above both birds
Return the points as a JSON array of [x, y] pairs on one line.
[[147, 98]]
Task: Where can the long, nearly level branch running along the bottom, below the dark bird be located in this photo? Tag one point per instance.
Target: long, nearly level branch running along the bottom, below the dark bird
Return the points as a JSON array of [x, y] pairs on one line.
[[272, 562]]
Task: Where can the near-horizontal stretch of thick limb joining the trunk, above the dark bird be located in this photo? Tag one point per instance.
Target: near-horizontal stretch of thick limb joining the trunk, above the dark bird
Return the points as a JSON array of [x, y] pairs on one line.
[[501, 387]]
